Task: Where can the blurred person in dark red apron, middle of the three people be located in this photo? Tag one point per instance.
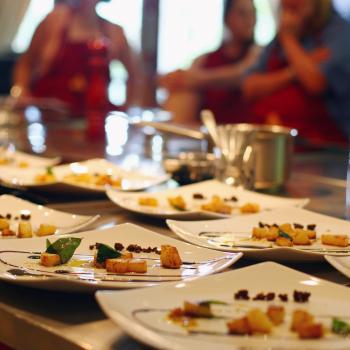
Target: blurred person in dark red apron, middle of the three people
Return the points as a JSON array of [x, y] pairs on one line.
[[213, 80]]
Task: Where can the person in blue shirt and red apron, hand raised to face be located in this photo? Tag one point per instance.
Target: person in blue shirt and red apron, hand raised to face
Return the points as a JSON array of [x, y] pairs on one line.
[[302, 79]]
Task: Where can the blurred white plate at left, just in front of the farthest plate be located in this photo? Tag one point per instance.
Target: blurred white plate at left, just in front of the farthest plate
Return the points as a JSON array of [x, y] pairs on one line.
[[131, 180]]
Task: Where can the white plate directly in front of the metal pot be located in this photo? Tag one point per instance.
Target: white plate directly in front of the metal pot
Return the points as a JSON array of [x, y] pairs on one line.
[[208, 189]]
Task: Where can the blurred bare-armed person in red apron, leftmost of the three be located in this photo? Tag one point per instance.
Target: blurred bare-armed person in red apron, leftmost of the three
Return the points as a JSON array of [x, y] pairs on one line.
[[71, 45]]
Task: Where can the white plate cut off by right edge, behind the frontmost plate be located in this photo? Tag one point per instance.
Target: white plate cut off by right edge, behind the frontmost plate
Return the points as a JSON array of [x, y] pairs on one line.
[[224, 234]]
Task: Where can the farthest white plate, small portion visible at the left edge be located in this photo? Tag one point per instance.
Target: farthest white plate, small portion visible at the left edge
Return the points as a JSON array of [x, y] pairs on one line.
[[16, 159]]
